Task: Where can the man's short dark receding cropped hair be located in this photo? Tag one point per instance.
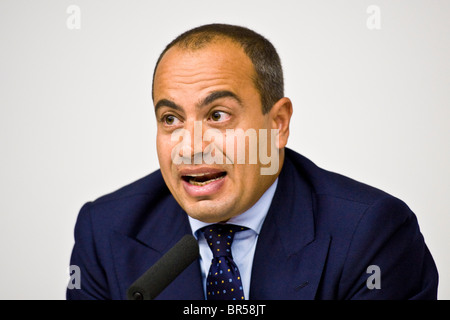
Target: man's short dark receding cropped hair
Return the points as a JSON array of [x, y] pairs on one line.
[[268, 77]]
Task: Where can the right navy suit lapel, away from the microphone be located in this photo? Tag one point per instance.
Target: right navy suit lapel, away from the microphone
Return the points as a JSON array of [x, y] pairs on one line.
[[289, 259]]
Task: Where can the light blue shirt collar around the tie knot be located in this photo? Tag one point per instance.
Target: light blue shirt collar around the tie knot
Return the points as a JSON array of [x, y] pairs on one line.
[[253, 218]]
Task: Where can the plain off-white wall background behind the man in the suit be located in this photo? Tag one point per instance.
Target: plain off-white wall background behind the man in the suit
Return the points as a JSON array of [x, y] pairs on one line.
[[76, 115]]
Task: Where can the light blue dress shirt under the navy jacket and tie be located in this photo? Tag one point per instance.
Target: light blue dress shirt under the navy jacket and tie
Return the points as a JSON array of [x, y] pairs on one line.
[[244, 243]]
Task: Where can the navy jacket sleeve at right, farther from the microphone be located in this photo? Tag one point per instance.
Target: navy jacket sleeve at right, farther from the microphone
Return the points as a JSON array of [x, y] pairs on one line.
[[388, 258]]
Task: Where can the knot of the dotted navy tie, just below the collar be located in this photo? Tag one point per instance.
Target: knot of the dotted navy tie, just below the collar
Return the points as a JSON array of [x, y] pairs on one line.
[[220, 237]]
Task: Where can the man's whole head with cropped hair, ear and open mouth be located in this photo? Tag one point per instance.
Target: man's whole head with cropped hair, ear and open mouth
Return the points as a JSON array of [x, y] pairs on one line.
[[210, 84]]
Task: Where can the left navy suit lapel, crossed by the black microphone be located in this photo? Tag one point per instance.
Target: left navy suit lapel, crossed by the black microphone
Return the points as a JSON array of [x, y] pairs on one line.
[[135, 251]]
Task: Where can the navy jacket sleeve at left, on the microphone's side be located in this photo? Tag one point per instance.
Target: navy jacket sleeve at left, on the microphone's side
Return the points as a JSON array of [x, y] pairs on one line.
[[92, 280]]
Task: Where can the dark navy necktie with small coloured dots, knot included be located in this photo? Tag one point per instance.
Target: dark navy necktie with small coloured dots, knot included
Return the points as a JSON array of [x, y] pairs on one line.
[[223, 281]]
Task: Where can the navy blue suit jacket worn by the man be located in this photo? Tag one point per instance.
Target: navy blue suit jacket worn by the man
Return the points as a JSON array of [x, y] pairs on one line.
[[321, 233]]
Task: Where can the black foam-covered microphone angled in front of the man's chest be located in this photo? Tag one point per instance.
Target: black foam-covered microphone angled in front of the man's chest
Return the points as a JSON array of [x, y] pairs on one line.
[[165, 270]]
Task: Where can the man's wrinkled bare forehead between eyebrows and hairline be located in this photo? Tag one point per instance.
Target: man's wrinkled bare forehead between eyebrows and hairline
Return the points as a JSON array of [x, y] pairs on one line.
[[218, 65]]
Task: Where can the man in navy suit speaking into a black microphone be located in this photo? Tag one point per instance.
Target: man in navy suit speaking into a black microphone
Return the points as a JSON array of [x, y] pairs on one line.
[[269, 223]]
